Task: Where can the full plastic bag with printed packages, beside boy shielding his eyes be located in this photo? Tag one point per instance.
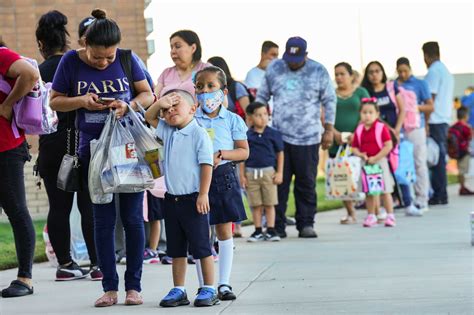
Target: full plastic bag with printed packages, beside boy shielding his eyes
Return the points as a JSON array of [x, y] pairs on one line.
[[126, 170]]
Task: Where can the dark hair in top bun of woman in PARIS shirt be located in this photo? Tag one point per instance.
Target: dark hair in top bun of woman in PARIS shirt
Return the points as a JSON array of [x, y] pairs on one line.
[[103, 31]]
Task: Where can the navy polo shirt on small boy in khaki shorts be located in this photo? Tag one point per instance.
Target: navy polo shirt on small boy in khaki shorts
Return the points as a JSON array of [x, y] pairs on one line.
[[263, 147]]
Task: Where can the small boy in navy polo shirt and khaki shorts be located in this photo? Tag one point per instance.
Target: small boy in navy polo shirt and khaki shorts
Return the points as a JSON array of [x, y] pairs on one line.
[[258, 175]]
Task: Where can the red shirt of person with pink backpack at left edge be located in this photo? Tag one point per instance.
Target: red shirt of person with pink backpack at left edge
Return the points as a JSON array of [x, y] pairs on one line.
[[7, 139]]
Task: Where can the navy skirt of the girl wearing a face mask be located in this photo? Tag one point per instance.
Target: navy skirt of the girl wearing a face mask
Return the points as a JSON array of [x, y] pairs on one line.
[[225, 196]]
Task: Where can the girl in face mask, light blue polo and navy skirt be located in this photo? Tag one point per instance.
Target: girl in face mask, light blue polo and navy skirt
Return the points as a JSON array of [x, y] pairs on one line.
[[228, 133]]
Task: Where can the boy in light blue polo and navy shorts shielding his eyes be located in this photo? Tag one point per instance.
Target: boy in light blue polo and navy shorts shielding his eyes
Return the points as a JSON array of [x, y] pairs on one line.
[[188, 167]]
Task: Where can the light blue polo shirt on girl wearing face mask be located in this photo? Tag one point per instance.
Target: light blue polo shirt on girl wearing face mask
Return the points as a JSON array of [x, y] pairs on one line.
[[223, 129]]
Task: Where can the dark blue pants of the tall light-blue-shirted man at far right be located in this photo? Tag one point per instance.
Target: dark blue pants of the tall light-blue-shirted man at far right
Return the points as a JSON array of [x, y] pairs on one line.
[[439, 132]]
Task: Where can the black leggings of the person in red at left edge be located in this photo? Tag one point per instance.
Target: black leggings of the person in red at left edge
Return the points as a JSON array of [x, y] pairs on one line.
[[13, 200]]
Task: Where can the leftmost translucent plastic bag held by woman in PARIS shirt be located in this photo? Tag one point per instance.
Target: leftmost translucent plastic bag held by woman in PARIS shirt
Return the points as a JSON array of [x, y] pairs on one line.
[[99, 154]]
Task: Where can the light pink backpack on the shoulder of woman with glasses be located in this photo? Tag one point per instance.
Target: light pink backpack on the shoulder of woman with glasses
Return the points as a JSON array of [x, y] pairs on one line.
[[412, 114]]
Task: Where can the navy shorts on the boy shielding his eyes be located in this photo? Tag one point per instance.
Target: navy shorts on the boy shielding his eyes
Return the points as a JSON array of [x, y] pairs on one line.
[[185, 227]]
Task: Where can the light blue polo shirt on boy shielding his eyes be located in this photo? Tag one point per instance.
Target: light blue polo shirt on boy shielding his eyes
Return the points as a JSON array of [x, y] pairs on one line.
[[185, 150]]
